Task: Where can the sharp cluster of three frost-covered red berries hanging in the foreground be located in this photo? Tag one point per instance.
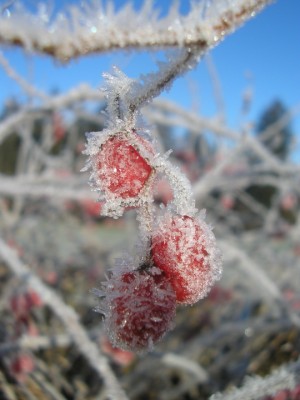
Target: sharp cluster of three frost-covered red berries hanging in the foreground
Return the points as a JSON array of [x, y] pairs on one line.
[[179, 262]]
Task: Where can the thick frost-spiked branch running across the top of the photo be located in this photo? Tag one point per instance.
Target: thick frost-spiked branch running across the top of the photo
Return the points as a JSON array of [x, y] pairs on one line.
[[96, 28]]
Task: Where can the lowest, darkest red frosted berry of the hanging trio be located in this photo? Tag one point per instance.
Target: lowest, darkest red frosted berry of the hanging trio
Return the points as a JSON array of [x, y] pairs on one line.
[[139, 308]]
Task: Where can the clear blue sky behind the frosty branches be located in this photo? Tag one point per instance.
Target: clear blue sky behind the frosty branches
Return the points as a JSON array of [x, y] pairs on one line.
[[264, 54]]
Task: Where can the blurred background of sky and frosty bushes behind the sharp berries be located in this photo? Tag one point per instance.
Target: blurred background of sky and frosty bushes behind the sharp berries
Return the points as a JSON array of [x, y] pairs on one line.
[[233, 124]]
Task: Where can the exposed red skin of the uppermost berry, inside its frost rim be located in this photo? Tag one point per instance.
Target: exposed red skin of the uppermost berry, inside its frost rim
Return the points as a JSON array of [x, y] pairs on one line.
[[122, 170]]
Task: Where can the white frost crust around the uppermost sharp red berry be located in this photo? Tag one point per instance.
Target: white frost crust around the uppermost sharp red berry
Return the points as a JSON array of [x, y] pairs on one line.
[[97, 151]]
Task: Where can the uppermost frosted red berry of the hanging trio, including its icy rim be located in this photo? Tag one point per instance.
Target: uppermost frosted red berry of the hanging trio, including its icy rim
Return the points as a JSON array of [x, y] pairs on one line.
[[121, 167]]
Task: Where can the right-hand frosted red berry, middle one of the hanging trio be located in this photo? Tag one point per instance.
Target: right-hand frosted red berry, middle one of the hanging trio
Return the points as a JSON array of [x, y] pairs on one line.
[[184, 249]]
